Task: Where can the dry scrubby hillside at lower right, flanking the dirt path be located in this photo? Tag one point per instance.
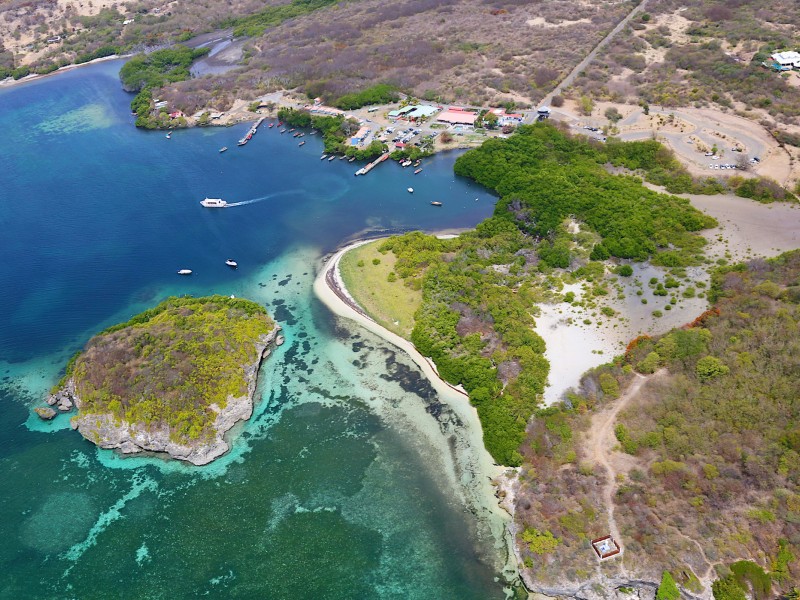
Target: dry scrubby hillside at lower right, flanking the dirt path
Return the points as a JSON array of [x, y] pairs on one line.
[[713, 476]]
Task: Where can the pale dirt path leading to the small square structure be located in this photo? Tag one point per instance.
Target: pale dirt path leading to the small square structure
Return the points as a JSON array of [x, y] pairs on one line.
[[600, 443]]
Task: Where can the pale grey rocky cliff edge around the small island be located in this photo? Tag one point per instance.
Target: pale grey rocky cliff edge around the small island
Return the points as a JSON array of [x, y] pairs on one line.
[[108, 432]]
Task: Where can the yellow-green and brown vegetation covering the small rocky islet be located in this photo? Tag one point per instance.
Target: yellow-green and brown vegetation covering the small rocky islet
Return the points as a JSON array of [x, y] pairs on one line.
[[170, 364]]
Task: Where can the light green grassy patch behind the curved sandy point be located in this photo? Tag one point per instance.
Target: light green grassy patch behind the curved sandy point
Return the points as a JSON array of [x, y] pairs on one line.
[[392, 304]]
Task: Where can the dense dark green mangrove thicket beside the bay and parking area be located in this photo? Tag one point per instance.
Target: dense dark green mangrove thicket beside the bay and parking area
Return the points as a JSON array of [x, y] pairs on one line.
[[544, 175]]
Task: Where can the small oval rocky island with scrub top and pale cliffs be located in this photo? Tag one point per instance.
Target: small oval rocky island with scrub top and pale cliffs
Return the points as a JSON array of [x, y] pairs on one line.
[[172, 379]]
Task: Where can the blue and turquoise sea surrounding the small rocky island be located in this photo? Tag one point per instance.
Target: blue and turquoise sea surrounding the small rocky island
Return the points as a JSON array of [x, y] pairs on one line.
[[330, 490]]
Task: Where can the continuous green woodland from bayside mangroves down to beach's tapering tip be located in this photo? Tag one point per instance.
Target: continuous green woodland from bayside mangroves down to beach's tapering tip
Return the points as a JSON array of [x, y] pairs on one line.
[[479, 290]]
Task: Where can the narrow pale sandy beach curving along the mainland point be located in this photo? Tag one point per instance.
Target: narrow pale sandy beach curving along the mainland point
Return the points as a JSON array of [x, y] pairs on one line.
[[486, 485]]
